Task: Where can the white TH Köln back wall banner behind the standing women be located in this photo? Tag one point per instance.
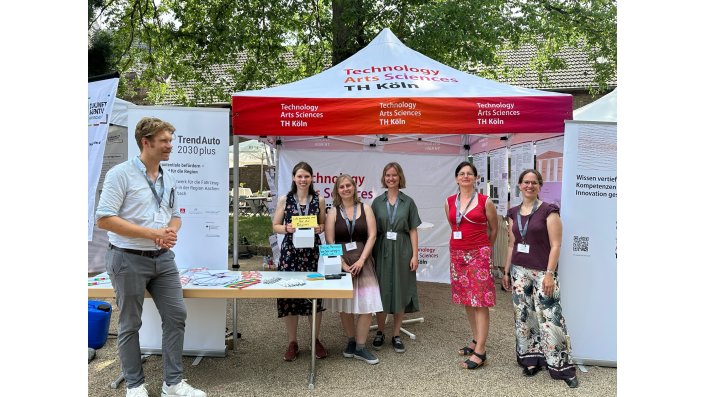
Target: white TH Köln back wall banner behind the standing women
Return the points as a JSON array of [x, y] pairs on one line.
[[430, 179]]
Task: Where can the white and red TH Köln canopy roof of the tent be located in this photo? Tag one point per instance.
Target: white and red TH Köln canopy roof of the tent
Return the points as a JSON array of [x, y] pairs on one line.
[[388, 88]]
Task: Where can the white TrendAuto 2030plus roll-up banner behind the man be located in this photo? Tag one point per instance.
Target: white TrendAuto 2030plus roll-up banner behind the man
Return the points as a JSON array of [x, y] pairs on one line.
[[199, 161]]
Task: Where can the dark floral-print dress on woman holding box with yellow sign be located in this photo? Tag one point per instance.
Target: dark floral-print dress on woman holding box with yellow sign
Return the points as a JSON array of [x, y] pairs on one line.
[[298, 259]]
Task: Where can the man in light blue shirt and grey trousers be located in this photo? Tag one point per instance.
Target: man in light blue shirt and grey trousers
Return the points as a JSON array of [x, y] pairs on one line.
[[138, 209]]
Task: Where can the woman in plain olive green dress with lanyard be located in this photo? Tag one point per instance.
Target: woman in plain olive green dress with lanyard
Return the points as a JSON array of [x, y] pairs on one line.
[[396, 253]]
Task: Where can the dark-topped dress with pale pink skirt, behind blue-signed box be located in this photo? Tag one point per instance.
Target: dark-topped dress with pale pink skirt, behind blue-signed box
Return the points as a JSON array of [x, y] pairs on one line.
[[366, 298]]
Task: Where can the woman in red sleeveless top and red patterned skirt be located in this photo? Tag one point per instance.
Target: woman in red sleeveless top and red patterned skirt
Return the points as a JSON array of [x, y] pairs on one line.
[[473, 222]]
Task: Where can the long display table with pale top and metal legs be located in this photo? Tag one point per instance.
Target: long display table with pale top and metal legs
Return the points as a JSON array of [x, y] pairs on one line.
[[341, 288]]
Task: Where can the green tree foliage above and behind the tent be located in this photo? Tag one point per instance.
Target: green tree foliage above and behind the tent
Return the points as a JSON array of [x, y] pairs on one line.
[[270, 42]]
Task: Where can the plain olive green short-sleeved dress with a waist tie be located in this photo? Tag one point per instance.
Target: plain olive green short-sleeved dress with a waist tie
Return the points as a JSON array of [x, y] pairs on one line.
[[397, 283]]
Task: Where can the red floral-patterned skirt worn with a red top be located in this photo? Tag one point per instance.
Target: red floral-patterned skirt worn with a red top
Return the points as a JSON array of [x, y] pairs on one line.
[[471, 280]]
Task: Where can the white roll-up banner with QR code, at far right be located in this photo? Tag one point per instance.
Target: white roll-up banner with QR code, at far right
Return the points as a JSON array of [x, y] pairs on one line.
[[588, 260]]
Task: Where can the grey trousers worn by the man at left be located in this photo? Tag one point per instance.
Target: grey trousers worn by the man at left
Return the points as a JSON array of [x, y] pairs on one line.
[[131, 275]]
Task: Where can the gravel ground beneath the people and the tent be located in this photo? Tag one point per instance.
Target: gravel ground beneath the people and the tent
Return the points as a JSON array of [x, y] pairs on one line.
[[430, 365]]
